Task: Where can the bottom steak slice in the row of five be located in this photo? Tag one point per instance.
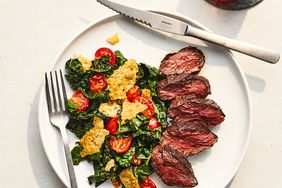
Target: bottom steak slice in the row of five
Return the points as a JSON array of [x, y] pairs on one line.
[[172, 167]]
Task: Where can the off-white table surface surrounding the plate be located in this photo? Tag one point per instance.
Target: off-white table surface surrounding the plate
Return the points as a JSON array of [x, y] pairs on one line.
[[33, 32]]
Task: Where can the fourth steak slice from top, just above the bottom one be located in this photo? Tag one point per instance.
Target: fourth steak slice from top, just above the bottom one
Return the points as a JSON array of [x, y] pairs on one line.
[[189, 138]]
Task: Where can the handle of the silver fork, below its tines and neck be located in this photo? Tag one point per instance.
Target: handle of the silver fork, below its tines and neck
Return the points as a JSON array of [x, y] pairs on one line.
[[68, 158]]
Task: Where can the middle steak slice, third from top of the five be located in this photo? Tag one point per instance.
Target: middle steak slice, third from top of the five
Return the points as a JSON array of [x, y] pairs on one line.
[[189, 108]]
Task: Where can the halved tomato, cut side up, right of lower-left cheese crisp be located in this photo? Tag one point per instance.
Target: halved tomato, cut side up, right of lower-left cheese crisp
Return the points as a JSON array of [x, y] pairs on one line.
[[121, 145]]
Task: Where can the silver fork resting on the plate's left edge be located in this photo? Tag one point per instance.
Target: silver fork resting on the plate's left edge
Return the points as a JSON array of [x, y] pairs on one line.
[[56, 97]]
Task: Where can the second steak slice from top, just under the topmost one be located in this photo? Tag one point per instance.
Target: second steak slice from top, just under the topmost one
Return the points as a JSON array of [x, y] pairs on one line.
[[192, 84]]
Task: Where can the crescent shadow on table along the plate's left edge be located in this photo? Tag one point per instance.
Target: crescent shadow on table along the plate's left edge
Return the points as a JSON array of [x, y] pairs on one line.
[[42, 170]]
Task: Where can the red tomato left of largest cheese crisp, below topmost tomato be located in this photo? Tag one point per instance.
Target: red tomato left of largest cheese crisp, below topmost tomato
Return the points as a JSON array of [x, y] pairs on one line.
[[98, 83]]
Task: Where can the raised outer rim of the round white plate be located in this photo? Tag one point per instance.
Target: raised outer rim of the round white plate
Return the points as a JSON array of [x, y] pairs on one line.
[[170, 14]]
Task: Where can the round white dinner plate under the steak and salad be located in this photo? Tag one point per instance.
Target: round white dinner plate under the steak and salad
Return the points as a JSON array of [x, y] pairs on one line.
[[214, 167]]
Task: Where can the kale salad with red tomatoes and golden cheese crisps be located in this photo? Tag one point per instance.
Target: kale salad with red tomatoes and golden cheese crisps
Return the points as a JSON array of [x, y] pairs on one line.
[[116, 115]]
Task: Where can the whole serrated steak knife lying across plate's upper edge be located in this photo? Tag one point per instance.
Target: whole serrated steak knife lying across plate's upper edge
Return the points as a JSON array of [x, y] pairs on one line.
[[171, 25]]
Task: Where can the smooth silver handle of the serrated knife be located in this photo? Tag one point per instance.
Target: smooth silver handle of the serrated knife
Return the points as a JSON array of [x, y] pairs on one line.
[[258, 52]]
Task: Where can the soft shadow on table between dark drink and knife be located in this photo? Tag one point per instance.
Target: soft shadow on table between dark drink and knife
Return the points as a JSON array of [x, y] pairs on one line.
[[225, 22]]
